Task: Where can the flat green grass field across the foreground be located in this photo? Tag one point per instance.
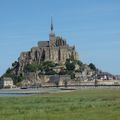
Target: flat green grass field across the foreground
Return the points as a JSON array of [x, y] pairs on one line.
[[90, 104]]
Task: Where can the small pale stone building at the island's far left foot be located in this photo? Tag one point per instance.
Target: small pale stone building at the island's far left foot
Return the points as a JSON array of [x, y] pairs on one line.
[[6, 82]]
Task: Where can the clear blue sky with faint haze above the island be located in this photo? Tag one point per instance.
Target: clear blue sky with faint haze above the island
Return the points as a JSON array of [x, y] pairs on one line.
[[93, 26]]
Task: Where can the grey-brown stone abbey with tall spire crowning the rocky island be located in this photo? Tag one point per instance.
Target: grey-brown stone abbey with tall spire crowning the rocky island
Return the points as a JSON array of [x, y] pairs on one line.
[[55, 49]]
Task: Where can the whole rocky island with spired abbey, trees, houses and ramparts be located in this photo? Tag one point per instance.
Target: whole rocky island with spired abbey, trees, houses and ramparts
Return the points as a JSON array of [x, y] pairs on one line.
[[53, 63]]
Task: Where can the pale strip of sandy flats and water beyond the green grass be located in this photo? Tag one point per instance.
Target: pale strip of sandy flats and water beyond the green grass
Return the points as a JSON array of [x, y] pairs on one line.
[[32, 91]]
